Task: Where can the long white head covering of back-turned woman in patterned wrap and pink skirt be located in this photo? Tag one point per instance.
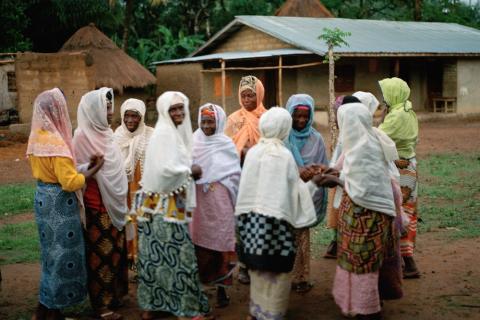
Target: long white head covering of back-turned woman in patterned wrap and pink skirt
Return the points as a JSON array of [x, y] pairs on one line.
[[365, 166]]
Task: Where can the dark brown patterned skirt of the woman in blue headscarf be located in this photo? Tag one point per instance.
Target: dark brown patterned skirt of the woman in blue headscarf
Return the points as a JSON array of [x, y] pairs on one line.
[[301, 268]]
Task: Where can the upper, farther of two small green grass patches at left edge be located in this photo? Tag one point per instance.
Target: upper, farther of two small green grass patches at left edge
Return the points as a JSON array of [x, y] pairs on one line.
[[16, 198]]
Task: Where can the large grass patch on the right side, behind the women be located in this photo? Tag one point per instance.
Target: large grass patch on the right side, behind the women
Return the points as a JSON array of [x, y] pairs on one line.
[[449, 194]]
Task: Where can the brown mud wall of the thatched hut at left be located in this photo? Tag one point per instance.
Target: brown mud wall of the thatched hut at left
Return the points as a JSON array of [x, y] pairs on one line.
[[37, 72]]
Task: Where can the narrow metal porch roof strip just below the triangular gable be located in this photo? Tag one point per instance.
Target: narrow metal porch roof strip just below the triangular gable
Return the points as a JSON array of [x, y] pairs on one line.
[[237, 55]]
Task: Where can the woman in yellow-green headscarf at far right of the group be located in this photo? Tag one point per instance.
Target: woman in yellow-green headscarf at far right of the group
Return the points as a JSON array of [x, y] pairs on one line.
[[401, 125]]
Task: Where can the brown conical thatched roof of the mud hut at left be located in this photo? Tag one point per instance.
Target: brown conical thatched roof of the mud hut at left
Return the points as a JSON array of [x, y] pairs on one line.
[[113, 67]]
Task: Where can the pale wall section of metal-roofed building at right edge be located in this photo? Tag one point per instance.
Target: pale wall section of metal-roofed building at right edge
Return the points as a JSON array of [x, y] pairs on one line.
[[468, 79]]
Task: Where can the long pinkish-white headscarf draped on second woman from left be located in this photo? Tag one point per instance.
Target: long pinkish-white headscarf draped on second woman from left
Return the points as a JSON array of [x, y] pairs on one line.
[[94, 137]]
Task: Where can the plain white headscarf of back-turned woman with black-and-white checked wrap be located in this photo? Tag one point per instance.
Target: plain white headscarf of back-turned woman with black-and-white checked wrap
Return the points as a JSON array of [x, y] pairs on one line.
[[270, 183]]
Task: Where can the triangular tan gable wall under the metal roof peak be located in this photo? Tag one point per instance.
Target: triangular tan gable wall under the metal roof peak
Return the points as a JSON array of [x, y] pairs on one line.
[[249, 39]]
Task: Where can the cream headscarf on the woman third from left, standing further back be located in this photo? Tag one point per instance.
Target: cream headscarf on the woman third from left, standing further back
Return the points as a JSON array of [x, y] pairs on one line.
[[133, 144]]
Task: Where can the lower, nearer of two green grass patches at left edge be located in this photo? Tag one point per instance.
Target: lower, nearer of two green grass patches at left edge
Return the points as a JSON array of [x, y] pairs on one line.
[[19, 243]]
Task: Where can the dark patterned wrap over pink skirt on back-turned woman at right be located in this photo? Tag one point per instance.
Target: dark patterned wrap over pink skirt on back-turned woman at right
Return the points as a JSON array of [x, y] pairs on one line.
[[363, 236]]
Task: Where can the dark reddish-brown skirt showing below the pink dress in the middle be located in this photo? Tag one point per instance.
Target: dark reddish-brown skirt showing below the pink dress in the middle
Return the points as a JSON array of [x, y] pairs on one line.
[[215, 267]]
